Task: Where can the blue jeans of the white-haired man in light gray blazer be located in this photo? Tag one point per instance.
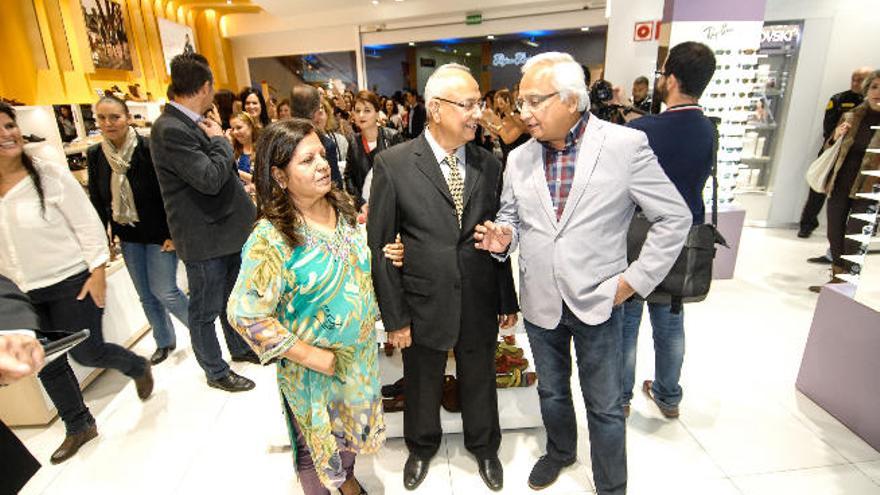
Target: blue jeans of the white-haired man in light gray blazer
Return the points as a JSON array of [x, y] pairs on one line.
[[598, 351]]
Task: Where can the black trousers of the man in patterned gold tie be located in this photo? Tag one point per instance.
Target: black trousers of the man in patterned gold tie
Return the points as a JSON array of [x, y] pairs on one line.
[[423, 370]]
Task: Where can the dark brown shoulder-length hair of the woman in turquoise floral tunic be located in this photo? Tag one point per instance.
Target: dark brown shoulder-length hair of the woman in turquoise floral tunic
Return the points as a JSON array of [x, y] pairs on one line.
[[275, 148]]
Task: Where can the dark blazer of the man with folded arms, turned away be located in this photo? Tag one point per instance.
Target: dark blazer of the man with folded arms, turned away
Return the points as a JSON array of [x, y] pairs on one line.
[[209, 213]]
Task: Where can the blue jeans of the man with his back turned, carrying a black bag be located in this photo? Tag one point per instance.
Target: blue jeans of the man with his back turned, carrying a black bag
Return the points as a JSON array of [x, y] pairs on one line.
[[668, 350]]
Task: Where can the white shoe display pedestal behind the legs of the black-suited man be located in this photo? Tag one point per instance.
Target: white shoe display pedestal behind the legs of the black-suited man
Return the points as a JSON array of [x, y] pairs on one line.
[[517, 407]]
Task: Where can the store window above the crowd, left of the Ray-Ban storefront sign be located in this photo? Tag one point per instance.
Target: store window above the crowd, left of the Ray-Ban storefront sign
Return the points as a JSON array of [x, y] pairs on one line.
[[285, 72]]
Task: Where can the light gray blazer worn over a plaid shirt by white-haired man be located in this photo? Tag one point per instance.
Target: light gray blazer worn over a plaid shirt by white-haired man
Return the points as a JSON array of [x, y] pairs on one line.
[[578, 260]]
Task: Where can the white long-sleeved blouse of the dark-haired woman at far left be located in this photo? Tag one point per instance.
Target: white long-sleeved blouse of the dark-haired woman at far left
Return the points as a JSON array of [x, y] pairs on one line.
[[41, 249]]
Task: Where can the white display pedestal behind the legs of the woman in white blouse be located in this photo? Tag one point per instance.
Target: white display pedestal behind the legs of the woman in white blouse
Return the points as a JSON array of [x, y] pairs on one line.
[[25, 403]]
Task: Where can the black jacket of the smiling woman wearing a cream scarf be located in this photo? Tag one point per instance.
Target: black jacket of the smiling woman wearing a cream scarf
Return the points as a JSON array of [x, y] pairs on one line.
[[152, 228]]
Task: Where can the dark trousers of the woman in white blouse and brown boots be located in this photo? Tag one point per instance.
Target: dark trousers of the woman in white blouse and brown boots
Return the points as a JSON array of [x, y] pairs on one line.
[[61, 314]]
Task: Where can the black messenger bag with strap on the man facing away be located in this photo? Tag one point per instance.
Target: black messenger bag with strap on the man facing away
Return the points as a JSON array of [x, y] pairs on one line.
[[690, 277]]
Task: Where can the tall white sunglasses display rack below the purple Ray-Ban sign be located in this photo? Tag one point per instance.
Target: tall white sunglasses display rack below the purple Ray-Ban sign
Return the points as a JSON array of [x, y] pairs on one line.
[[732, 96]]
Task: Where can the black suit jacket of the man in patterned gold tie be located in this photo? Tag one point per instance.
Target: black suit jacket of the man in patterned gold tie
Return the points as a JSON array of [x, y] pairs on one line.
[[446, 285]]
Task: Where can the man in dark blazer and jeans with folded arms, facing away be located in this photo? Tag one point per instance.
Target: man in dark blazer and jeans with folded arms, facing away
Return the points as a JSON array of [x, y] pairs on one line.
[[209, 213]]
